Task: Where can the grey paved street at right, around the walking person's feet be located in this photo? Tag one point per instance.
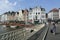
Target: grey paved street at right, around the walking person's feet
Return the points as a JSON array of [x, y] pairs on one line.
[[50, 36]]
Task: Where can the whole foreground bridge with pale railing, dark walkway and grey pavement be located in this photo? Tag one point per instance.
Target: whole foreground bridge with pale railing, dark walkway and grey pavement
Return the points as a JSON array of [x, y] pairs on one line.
[[40, 32]]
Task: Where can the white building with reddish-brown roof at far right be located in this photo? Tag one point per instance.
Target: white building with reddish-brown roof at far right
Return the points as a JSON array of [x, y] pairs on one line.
[[54, 14]]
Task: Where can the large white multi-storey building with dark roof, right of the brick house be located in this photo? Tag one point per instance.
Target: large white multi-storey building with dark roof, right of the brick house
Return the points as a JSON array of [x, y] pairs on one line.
[[36, 15]]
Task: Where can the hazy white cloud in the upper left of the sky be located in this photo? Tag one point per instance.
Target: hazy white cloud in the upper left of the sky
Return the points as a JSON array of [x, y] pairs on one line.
[[5, 5]]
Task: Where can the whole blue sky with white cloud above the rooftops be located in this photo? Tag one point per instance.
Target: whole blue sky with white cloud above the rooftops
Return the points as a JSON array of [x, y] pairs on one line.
[[16, 5]]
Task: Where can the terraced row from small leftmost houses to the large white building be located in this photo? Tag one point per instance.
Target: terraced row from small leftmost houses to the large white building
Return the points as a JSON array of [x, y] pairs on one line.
[[32, 15]]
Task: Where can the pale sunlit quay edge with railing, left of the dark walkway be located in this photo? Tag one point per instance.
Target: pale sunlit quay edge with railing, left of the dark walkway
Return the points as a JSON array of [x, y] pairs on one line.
[[20, 34]]
